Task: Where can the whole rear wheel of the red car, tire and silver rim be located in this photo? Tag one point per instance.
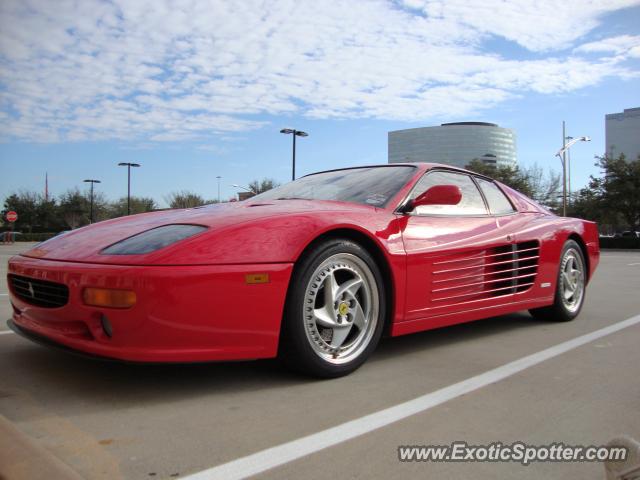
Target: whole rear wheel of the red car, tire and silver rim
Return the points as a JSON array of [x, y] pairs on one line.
[[570, 288]]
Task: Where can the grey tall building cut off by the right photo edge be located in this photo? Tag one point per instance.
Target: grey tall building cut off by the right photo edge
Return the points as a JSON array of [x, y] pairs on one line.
[[622, 132]]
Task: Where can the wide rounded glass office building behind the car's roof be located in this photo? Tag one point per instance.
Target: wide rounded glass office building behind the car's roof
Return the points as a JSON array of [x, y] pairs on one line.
[[454, 144]]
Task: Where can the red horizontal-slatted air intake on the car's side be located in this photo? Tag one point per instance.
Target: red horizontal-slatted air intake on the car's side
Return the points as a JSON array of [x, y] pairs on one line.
[[486, 273]]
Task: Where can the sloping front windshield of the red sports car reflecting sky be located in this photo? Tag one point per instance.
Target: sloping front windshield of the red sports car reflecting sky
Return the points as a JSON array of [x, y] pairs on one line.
[[373, 186]]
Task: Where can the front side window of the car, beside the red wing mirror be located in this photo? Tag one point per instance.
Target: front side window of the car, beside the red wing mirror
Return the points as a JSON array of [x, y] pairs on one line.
[[471, 203]]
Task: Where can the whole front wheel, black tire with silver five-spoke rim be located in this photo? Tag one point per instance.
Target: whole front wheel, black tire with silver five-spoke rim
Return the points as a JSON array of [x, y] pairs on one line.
[[307, 344]]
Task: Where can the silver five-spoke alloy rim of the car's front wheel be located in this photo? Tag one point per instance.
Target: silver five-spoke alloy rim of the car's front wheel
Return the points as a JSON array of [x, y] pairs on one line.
[[341, 308]]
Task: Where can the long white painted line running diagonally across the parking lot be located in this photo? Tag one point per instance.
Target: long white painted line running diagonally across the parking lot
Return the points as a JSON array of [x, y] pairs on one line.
[[287, 452]]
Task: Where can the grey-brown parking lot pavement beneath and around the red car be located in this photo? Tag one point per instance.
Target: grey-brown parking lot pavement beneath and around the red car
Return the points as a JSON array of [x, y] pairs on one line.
[[109, 420]]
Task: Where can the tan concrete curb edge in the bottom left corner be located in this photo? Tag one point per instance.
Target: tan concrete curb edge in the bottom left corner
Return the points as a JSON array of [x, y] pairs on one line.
[[22, 458]]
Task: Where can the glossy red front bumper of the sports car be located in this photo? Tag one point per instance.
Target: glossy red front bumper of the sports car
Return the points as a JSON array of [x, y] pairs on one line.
[[182, 314]]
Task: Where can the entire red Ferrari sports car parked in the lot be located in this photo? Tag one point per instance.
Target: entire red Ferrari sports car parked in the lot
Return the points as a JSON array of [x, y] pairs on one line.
[[314, 271]]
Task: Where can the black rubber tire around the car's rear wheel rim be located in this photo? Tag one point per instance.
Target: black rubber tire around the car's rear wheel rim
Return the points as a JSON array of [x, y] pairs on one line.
[[563, 310]]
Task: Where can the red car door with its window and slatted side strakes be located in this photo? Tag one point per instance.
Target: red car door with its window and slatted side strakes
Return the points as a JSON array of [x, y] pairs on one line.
[[457, 257]]
